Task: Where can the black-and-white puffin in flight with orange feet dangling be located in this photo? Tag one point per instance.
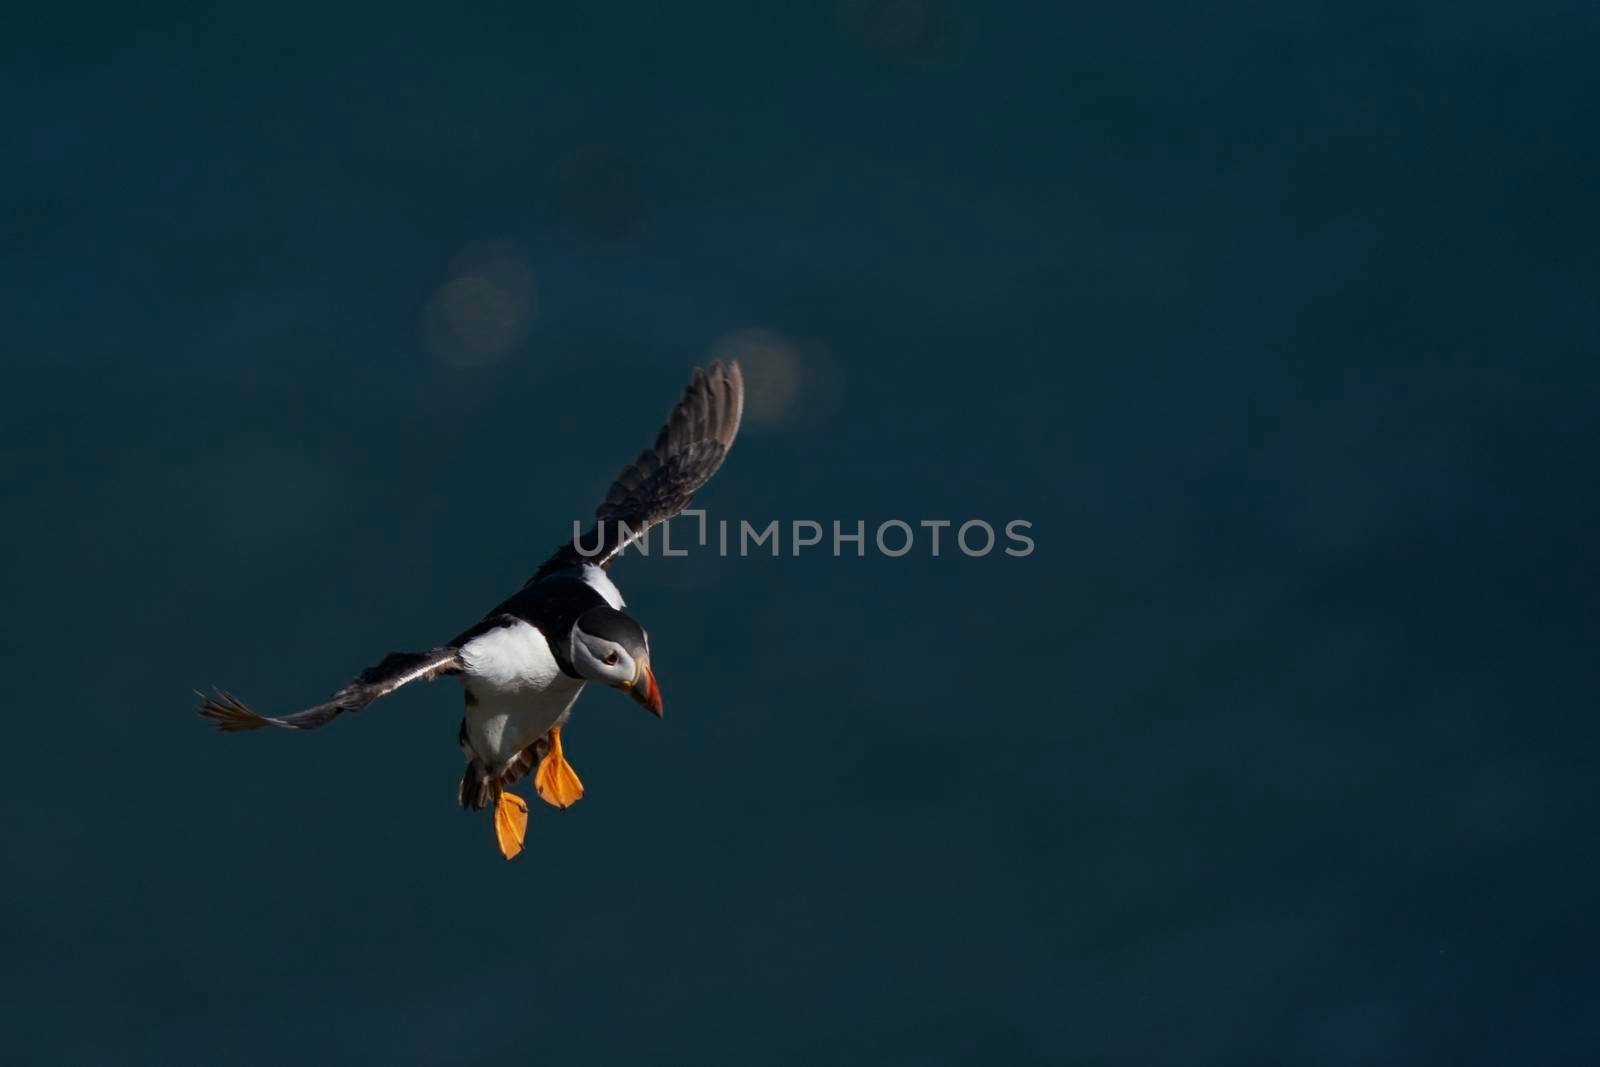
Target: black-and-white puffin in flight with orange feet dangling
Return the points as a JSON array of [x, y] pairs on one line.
[[524, 666]]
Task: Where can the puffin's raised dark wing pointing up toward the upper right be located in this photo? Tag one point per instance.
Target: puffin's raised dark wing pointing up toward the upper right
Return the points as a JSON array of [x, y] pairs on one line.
[[662, 482]]
